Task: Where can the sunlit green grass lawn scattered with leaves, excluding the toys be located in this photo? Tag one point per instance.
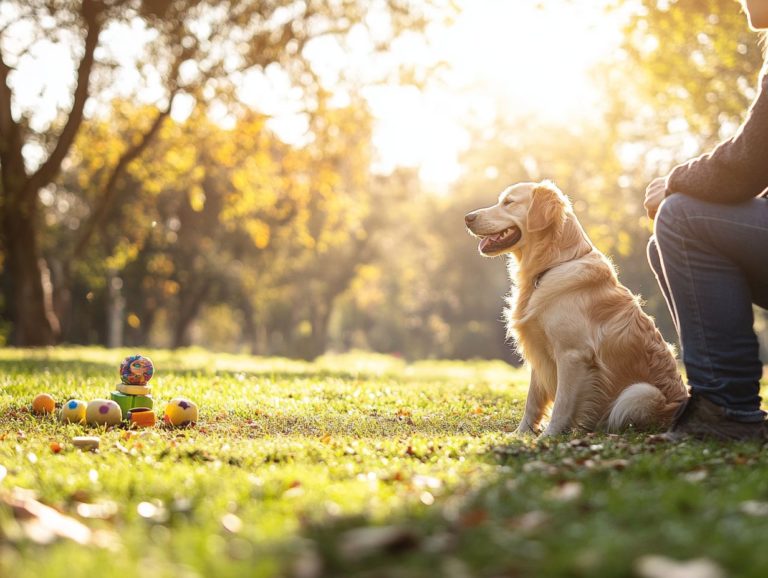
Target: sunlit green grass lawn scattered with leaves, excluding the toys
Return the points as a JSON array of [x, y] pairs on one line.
[[356, 465]]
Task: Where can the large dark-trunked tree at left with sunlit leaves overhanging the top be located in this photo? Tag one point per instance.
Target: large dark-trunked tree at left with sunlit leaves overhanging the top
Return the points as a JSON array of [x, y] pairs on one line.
[[192, 47]]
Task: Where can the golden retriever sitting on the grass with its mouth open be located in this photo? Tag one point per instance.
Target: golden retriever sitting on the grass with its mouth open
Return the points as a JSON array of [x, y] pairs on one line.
[[595, 357]]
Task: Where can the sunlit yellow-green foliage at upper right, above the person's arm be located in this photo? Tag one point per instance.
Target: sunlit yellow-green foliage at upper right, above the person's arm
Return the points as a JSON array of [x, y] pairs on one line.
[[697, 61]]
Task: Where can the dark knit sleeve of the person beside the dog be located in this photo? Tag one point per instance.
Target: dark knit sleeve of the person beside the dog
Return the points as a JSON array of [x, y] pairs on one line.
[[737, 169]]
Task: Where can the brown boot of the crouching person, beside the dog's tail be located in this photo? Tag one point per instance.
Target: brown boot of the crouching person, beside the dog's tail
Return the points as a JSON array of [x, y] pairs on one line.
[[699, 418]]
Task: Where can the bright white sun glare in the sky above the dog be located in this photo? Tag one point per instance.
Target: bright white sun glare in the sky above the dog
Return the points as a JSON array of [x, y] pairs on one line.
[[506, 60]]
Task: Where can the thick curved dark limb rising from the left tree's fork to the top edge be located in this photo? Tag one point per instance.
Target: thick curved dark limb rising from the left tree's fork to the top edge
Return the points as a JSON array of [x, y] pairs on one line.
[[92, 11]]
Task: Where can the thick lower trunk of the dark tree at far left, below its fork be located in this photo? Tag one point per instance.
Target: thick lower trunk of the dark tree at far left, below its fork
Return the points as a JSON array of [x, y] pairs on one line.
[[28, 300]]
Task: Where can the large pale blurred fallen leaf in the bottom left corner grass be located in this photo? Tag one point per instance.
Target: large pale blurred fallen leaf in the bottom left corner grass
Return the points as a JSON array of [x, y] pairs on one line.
[[43, 525]]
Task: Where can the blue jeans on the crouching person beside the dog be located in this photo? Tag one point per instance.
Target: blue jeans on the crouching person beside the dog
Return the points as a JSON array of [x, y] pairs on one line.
[[711, 262]]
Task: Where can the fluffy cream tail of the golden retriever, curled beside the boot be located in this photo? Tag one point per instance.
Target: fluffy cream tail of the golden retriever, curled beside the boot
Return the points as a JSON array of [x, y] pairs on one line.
[[641, 405]]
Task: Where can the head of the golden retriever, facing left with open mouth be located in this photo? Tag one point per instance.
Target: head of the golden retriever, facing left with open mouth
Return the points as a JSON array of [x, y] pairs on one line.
[[523, 212]]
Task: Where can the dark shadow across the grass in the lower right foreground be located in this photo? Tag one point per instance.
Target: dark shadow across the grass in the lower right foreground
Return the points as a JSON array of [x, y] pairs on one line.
[[595, 508]]
